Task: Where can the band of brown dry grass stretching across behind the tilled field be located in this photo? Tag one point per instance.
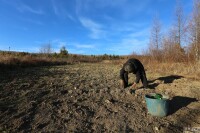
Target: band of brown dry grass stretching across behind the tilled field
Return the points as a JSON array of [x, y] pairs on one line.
[[15, 60]]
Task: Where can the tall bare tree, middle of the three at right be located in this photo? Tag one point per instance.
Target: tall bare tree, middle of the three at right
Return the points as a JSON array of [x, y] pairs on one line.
[[172, 42]]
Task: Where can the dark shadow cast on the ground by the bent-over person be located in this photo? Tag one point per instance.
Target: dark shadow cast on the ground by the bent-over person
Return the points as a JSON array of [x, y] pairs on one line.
[[166, 80]]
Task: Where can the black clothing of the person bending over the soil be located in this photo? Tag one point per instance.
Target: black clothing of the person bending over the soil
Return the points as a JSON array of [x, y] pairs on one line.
[[137, 68]]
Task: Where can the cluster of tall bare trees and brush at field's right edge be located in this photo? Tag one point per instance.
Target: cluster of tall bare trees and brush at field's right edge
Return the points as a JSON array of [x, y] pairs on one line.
[[182, 41]]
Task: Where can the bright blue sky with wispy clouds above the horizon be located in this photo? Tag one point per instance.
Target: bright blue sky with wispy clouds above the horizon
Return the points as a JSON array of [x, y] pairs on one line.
[[87, 27]]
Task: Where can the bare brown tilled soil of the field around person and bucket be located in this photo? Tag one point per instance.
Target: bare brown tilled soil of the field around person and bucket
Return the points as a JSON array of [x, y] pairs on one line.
[[88, 98]]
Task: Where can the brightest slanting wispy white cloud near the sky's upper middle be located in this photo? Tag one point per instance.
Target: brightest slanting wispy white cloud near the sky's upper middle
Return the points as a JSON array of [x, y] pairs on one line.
[[95, 28]]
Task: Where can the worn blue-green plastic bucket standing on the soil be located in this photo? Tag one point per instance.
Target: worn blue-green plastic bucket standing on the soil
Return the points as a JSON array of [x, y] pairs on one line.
[[155, 106]]
